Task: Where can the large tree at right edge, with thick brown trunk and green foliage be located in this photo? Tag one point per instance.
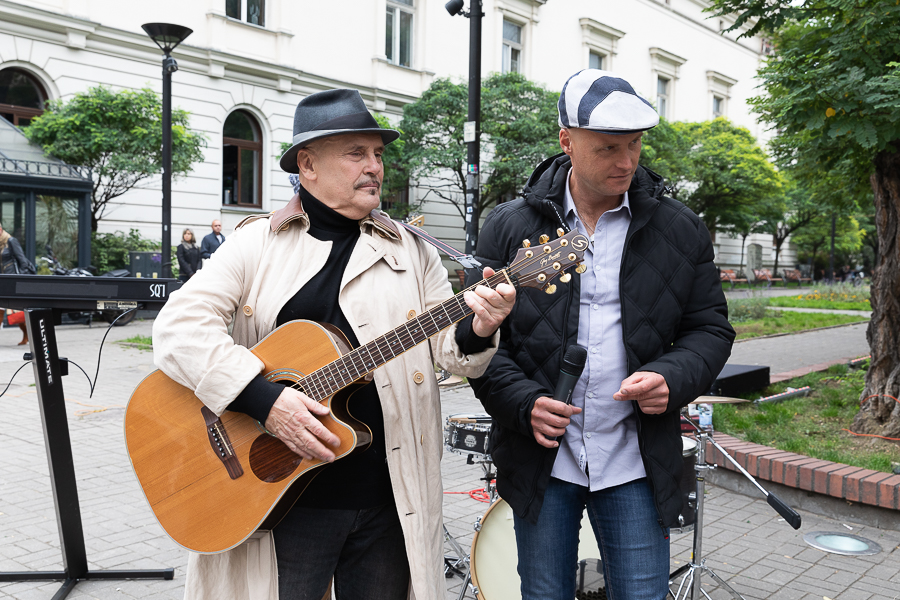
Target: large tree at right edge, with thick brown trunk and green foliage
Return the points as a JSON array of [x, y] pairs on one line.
[[834, 83]]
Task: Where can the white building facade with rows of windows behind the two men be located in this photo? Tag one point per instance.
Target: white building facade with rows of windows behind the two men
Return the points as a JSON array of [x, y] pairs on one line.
[[249, 62]]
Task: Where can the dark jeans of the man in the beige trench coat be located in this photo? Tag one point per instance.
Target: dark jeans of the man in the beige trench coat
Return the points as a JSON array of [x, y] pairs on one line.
[[363, 550]]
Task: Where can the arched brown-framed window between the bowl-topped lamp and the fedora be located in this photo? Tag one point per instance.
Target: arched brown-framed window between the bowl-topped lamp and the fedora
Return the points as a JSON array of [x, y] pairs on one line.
[[241, 160]]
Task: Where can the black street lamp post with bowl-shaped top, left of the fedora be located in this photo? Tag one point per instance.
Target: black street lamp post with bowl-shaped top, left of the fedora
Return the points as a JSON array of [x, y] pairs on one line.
[[167, 36]]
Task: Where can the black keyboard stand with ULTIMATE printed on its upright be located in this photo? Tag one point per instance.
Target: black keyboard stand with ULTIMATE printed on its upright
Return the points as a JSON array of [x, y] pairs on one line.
[[47, 376]]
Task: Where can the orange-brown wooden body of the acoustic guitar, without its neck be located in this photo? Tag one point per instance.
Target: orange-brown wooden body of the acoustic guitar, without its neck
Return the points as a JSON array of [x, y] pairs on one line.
[[211, 483]]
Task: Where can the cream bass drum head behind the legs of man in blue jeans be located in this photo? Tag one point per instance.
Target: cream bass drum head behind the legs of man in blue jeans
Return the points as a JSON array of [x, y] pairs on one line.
[[494, 556]]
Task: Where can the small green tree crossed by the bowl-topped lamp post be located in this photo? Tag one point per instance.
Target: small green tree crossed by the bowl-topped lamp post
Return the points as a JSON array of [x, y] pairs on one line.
[[118, 135]]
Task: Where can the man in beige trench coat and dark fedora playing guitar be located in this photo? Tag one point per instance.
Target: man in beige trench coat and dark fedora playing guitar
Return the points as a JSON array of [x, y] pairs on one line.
[[370, 521]]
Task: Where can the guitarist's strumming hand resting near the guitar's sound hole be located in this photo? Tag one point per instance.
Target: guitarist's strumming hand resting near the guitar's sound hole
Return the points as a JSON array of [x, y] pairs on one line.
[[293, 421]]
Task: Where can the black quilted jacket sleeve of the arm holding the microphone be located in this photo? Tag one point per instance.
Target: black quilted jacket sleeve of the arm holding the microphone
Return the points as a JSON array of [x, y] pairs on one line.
[[506, 392]]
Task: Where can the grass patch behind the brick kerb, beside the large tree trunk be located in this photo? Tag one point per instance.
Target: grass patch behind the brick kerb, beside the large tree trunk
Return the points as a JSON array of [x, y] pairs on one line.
[[813, 426]]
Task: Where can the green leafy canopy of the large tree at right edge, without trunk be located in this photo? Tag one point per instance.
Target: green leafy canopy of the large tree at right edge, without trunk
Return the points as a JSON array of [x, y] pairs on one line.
[[833, 81]]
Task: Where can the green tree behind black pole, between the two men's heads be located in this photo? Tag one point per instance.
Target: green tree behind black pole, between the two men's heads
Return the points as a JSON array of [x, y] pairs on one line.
[[518, 128]]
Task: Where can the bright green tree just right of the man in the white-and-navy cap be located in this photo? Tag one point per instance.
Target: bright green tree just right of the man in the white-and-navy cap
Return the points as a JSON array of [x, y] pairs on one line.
[[716, 168]]
